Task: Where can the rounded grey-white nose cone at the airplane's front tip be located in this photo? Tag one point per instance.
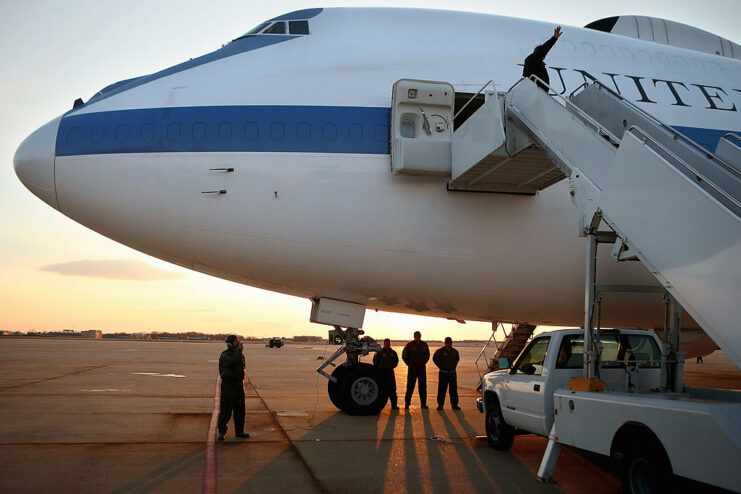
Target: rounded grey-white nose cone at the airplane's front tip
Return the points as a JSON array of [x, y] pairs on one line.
[[34, 162]]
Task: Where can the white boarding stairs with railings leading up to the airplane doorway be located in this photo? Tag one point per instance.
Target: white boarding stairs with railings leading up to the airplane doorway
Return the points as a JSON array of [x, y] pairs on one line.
[[672, 204]]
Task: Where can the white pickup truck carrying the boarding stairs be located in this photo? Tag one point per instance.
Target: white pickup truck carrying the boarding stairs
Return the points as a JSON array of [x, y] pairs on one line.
[[655, 434]]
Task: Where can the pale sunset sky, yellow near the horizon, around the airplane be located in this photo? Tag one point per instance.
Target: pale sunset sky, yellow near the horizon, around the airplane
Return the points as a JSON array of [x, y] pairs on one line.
[[55, 273]]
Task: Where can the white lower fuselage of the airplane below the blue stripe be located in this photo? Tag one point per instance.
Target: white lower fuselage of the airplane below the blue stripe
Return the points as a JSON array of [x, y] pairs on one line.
[[308, 224]]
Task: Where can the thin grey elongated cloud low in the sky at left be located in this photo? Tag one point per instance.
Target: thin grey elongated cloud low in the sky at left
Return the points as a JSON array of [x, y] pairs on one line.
[[114, 269]]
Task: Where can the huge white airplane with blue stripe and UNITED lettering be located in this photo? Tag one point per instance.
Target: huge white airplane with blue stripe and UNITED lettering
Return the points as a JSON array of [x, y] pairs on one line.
[[268, 162]]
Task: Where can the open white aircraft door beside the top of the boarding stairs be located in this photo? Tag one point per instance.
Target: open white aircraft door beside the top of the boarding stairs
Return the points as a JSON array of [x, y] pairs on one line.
[[421, 127]]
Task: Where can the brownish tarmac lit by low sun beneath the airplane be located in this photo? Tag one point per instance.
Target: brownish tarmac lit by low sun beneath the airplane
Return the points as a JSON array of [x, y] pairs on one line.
[[134, 416]]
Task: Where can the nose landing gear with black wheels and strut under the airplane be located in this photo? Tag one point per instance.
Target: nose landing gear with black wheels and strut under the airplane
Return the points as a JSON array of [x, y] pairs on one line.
[[354, 387]]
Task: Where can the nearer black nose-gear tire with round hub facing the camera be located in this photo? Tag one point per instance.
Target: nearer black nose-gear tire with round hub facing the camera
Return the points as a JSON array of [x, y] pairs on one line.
[[363, 390]]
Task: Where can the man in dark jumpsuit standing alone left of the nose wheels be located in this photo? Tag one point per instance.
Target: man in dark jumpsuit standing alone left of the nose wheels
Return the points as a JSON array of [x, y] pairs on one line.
[[231, 370]]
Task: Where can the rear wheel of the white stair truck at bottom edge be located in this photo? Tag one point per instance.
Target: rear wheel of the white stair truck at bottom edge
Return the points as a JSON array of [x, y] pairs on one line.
[[645, 469]]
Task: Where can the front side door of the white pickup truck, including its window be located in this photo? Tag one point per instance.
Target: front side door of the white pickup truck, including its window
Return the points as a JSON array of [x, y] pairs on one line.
[[524, 397]]
